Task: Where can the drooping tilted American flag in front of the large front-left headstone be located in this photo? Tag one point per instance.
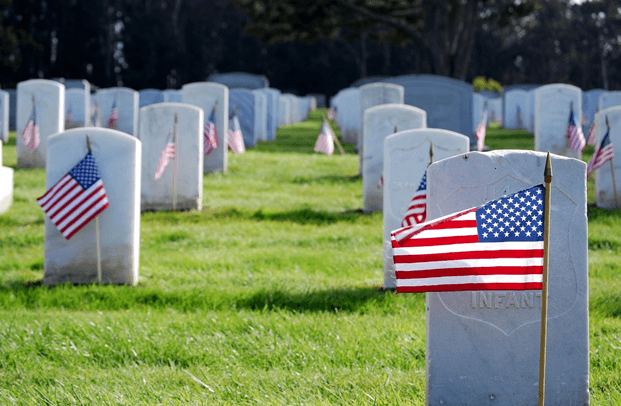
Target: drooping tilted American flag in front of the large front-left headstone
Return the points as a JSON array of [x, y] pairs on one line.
[[77, 198]]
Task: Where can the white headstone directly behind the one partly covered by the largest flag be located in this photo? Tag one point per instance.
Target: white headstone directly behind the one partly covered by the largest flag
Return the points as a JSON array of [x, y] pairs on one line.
[[379, 122]]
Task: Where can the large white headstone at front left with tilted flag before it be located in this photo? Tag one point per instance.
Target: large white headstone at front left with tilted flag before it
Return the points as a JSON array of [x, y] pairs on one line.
[[118, 157]]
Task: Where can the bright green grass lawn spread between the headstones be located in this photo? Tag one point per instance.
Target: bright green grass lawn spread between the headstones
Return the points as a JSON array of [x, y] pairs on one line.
[[270, 295]]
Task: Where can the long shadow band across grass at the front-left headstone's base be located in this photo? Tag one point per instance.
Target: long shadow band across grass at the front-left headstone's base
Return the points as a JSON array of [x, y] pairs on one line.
[[34, 295]]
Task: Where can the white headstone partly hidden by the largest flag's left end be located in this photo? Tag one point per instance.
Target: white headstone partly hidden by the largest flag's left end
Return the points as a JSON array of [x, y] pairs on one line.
[[406, 157]]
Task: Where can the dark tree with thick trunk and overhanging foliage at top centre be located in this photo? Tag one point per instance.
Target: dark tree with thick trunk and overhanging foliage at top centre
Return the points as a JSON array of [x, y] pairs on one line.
[[443, 31]]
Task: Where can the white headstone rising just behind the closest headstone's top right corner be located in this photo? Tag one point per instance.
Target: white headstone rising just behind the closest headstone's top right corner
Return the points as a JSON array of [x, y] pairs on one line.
[[552, 107]]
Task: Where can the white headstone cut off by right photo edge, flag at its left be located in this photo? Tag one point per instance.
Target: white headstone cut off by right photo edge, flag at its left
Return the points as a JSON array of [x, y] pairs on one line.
[[604, 187]]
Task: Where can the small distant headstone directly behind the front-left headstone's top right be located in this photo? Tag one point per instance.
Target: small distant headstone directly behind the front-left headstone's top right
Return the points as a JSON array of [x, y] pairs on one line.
[[127, 104]]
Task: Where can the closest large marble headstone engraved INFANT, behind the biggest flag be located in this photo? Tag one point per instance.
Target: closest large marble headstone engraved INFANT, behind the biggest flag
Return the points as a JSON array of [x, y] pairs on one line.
[[482, 347]]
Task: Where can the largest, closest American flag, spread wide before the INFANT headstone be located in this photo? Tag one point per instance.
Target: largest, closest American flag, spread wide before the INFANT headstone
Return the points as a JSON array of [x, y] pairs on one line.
[[496, 246]]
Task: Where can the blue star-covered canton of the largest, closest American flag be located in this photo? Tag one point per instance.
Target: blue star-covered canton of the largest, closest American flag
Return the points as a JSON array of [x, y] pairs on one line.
[[515, 217]]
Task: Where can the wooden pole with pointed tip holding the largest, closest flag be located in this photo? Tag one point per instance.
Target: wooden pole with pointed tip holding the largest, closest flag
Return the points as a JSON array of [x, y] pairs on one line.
[[544, 289]]
